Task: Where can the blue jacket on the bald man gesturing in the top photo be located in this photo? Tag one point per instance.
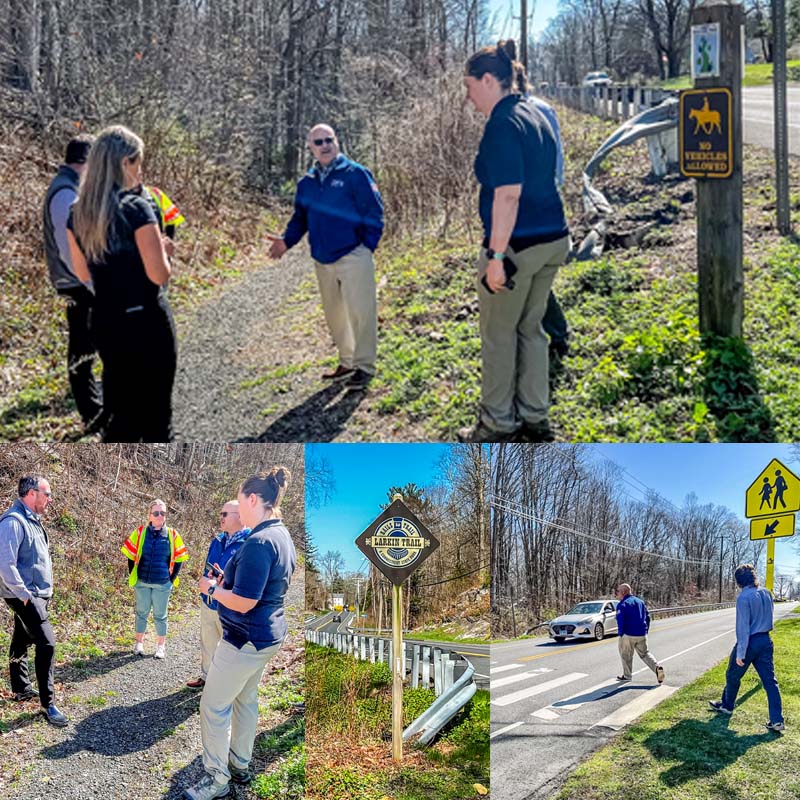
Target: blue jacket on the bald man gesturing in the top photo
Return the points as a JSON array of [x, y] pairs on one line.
[[339, 207]]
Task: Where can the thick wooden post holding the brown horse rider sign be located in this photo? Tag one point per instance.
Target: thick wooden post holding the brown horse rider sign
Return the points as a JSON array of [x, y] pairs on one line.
[[719, 202]]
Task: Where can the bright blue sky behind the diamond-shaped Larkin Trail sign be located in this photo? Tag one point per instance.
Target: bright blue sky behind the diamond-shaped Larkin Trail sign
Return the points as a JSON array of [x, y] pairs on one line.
[[363, 473]]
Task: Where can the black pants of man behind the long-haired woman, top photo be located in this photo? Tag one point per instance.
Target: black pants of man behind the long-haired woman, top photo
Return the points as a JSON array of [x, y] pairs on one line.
[[81, 354]]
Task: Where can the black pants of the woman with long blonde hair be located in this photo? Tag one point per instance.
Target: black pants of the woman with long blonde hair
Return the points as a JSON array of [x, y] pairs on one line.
[[139, 353]]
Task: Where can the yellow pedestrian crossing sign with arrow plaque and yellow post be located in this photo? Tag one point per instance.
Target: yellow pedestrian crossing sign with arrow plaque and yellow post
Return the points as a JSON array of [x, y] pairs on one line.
[[770, 502]]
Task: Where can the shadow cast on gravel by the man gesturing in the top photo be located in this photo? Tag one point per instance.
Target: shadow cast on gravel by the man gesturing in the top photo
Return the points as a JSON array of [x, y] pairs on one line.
[[320, 418]]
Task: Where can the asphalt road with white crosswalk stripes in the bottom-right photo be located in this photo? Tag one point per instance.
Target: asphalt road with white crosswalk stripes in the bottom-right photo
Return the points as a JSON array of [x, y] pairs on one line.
[[553, 704]]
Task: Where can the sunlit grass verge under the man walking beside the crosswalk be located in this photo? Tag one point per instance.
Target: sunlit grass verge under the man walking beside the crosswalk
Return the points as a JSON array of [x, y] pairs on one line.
[[683, 750]]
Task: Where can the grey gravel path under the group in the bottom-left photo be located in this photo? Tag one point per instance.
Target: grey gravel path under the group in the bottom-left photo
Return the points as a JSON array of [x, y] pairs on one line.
[[135, 727]]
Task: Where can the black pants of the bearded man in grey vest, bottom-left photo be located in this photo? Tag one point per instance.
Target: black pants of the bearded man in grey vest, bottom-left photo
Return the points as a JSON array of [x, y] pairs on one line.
[[32, 627]]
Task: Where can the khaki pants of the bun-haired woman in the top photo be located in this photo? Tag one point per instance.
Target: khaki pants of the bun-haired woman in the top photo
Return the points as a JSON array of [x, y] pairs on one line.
[[515, 367]]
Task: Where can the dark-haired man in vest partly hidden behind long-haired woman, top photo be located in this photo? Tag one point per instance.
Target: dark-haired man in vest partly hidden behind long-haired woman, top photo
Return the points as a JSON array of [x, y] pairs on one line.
[[61, 194]]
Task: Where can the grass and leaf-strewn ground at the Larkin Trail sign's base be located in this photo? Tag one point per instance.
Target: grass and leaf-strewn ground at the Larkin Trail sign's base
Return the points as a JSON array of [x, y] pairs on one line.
[[348, 738]]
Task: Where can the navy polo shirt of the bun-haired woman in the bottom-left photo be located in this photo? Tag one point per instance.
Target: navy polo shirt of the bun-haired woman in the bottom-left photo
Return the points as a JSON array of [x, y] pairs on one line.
[[260, 570]]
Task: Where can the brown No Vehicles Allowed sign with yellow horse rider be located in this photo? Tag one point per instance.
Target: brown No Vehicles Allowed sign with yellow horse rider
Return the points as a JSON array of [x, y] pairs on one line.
[[705, 133]]
